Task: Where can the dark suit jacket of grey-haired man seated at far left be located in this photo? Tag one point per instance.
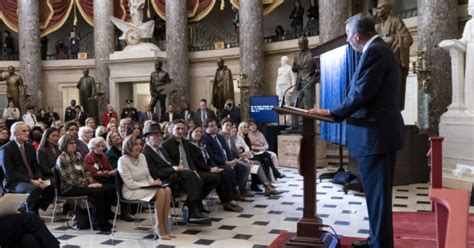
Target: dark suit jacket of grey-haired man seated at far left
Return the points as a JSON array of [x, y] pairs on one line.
[[13, 166]]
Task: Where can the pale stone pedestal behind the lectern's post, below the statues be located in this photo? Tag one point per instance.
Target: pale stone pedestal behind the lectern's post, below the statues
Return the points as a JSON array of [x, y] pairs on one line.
[[289, 151]]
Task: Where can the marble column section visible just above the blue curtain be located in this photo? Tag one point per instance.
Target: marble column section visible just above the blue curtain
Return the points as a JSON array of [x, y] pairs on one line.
[[332, 15]]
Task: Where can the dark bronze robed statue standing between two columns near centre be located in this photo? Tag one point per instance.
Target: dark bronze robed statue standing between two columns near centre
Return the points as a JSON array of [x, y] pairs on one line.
[[223, 87]]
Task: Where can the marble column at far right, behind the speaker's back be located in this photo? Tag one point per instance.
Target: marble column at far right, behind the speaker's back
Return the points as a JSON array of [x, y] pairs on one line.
[[437, 21]]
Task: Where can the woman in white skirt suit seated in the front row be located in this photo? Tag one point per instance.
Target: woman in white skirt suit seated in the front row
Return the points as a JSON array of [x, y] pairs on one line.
[[133, 169]]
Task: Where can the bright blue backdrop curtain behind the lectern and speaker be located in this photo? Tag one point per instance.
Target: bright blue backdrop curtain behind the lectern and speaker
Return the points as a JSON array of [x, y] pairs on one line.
[[337, 68]]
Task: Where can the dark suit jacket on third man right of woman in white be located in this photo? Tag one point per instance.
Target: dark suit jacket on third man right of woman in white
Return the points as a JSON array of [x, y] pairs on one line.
[[215, 150]]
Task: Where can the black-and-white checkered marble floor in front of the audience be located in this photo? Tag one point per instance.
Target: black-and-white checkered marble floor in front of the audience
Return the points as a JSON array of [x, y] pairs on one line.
[[262, 220]]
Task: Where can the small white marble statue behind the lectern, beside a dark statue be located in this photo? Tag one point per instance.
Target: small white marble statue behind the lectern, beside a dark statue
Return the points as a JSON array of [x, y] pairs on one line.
[[285, 79]]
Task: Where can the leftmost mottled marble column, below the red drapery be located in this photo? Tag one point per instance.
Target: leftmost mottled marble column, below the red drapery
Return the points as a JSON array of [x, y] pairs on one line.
[[29, 47]]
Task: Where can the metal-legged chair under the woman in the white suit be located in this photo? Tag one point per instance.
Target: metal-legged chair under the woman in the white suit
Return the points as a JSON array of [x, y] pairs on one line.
[[140, 203]]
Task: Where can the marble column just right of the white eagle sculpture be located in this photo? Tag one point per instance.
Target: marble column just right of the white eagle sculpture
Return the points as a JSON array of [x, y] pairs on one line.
[[177, 50]]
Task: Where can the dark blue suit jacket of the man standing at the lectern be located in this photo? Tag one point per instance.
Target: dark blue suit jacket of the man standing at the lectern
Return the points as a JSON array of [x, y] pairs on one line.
[[371, 106]]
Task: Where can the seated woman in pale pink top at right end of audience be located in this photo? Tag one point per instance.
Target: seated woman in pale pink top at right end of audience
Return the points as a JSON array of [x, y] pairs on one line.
[[259, 145]]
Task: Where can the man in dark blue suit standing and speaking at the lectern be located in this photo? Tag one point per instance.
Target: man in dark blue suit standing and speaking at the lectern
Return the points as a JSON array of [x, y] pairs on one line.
[[374, 124]]
